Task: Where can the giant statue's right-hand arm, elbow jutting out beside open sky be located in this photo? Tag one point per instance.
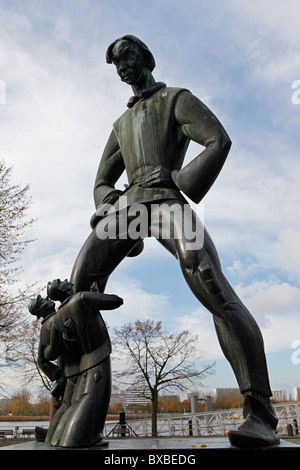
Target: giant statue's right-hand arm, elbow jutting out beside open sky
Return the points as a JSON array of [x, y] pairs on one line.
[[200, 125]]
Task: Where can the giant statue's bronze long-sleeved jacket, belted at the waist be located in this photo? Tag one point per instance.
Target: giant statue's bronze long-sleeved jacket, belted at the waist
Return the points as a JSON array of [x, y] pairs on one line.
[[154, 133]]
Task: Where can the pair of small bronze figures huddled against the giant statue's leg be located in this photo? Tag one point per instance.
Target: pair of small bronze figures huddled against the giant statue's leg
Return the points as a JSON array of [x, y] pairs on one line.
[[77, 337]]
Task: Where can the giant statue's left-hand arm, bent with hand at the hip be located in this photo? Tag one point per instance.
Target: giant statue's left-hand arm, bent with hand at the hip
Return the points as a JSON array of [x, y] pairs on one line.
[[110, 169]]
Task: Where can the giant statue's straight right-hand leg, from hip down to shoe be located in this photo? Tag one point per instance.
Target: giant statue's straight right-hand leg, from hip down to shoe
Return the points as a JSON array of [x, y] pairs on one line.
[[238, 333]]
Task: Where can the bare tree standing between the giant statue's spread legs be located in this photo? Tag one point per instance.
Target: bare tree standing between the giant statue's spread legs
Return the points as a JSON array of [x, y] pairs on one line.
[[158, 359]]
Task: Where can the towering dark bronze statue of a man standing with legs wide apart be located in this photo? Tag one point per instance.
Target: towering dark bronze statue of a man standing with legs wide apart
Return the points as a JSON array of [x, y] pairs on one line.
[[149, 142]]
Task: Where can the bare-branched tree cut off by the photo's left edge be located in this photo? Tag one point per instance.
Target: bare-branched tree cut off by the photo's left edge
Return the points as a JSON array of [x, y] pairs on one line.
[[14, 202]]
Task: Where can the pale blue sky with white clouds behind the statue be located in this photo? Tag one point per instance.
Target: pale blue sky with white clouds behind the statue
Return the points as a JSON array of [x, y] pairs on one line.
[[59, 98]]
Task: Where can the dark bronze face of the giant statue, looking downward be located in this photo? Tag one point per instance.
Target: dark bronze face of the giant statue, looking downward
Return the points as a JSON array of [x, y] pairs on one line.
[[129, 61]]
